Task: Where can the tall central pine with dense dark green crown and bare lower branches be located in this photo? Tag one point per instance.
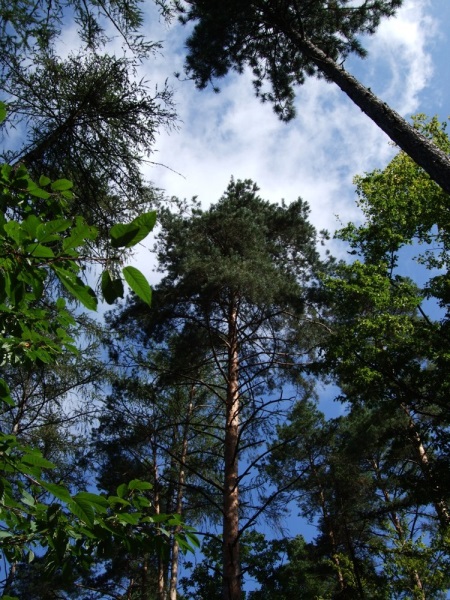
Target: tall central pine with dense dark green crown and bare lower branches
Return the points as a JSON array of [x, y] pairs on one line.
[[239, 287]]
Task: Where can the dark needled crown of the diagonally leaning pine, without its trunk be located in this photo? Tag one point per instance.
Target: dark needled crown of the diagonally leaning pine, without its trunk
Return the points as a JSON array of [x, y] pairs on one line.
[[263, 35]]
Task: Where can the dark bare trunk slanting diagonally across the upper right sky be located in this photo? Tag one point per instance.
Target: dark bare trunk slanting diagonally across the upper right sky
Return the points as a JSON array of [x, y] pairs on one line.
[[424, 152]]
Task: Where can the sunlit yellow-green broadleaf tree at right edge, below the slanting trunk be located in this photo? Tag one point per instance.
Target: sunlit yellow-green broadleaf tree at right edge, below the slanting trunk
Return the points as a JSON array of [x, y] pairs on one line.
[[389, 350]]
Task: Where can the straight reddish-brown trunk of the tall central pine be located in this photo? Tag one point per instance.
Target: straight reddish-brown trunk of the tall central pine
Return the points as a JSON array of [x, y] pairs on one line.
[[231, 561]]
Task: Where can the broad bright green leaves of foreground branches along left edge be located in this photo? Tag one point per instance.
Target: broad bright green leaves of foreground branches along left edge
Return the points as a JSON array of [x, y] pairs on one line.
[[40, 246]]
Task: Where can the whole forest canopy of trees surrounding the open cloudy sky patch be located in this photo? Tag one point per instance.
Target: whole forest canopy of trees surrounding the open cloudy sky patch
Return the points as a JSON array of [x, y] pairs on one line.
[[157, 450]]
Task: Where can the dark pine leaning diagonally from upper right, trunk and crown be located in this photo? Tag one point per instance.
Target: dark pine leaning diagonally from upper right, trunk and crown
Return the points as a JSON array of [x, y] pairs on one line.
[[287, 41]]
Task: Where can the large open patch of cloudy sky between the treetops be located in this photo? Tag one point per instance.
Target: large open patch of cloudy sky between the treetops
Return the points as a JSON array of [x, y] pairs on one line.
[[316, 155]]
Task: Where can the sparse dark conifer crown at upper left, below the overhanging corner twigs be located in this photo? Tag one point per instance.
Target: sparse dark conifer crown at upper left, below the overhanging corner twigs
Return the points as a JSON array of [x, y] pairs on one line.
[[93, 122]]
